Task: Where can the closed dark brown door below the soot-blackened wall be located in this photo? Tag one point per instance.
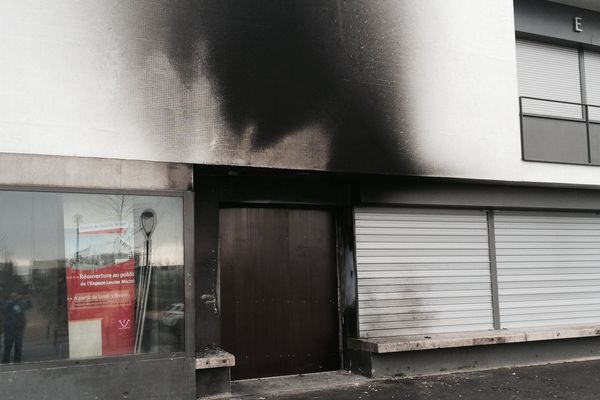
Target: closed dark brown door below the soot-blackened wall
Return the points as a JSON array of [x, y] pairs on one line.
[[279, 291]]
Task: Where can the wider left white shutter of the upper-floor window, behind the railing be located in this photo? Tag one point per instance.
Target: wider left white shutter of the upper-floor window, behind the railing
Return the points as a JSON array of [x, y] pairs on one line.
[[549, 72]]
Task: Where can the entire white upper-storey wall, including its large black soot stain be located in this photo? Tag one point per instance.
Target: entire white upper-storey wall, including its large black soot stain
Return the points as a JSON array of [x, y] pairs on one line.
[[390, 87]]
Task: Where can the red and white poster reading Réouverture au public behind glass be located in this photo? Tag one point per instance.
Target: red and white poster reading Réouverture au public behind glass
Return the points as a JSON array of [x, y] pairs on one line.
[[100, 276]]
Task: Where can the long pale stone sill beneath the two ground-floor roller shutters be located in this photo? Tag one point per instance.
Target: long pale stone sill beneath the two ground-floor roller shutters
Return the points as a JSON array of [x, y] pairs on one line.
[[476, 338]]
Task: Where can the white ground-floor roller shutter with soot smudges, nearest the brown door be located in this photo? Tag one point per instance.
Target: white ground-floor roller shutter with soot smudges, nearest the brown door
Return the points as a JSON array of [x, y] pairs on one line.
[[422, 271]]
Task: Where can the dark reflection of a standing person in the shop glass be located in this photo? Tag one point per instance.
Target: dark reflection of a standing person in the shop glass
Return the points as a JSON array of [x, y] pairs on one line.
[[13, 311]]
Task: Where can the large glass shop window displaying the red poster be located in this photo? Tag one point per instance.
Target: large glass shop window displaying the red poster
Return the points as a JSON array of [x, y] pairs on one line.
[[89, 275]]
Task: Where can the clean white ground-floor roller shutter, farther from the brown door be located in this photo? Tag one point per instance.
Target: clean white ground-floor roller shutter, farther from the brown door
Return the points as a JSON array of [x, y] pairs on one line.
[[548, 268]]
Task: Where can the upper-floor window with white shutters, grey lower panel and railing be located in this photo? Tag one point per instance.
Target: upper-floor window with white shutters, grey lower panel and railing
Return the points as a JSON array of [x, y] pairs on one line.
[[559, 89]]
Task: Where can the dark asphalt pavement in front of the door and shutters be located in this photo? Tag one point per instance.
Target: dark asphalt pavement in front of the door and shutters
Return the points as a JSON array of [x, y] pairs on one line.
[[573, 381]]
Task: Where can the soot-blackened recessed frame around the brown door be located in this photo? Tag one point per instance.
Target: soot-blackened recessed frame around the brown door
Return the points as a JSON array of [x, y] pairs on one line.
[[217, 188]]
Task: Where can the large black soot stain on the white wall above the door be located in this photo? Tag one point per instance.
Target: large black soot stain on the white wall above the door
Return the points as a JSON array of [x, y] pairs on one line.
[[278, 66]]
